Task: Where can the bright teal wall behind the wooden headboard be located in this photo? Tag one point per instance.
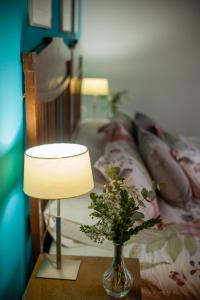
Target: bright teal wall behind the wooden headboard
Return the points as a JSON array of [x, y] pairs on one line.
[[15, 239]]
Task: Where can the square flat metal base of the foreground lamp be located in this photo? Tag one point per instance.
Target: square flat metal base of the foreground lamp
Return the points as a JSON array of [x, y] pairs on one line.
[[69, 269]]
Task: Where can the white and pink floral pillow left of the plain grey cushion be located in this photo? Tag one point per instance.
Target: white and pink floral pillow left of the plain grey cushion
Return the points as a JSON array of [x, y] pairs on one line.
[[122, 152]]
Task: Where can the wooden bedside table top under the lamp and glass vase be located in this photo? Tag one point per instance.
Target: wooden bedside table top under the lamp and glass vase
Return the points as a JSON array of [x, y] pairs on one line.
[[87, 286]]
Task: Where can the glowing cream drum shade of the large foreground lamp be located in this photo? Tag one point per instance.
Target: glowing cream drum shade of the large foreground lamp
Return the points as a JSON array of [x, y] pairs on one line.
[[57, 171]]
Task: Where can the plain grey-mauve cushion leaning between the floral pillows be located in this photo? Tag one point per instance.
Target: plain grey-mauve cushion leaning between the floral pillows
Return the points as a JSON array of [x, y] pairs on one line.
[[164, 169]]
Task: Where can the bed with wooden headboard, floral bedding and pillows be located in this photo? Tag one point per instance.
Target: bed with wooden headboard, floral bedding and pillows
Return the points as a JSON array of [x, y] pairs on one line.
[[169, 255]]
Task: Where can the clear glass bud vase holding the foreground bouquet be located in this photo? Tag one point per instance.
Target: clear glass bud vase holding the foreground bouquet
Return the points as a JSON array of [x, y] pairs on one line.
[[117, 280]]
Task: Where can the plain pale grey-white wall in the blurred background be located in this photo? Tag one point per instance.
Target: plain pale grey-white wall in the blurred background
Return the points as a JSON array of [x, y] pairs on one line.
[[152, 48]]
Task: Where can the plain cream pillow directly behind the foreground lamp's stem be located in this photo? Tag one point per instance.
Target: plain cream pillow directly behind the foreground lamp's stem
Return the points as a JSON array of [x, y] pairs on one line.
[[74, 212]]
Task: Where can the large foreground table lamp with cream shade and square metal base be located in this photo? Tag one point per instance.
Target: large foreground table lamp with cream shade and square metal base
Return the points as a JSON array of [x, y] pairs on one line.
[[55, 172]]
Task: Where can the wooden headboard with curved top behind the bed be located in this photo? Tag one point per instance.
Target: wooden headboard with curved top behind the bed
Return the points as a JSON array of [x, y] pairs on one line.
[[52, 79]]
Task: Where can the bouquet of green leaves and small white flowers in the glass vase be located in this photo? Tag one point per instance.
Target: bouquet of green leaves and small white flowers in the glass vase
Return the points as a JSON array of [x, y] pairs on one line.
[[116, 210]]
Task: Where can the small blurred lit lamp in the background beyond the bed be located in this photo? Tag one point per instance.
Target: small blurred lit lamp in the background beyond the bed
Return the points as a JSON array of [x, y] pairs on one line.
[[94, 87]]
